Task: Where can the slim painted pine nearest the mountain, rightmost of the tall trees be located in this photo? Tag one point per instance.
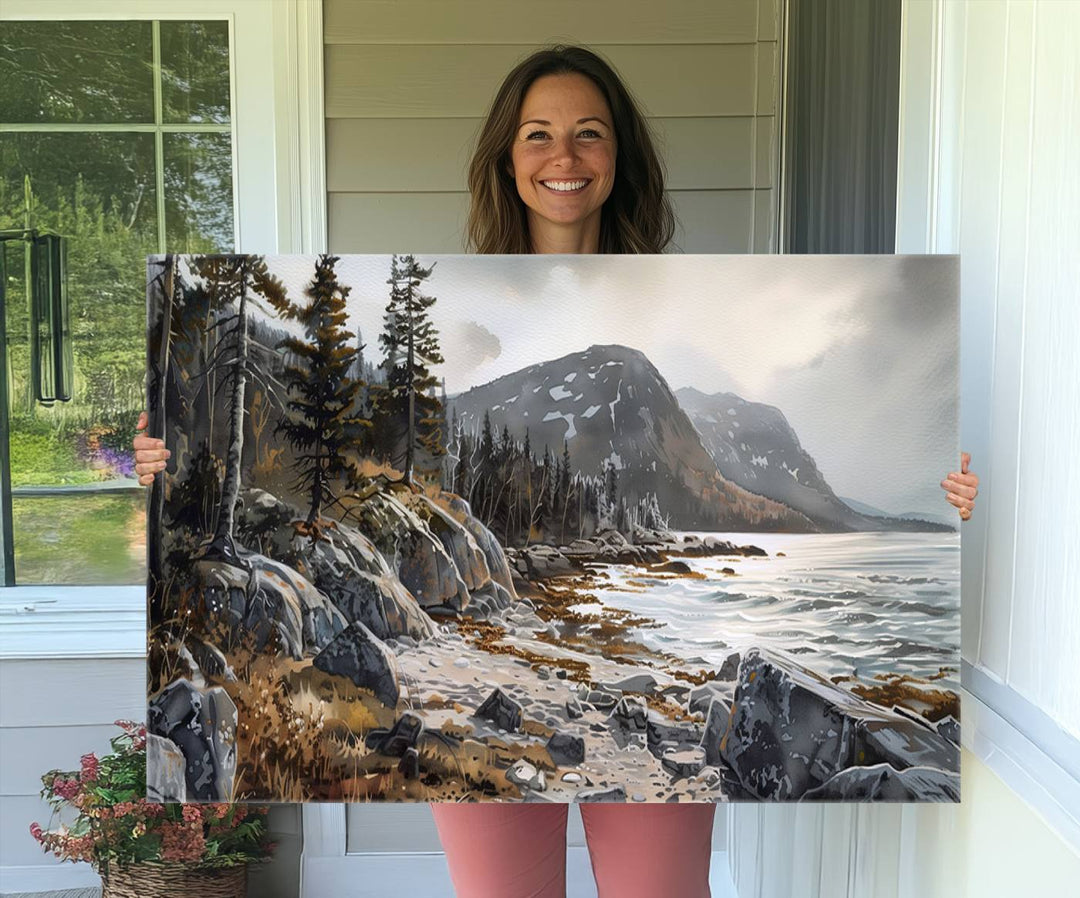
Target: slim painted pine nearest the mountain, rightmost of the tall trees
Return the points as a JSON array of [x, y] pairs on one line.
[[412, 418]]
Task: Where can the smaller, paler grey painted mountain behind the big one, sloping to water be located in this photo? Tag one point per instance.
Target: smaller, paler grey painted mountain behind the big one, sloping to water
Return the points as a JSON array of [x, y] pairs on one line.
[[754, 447]]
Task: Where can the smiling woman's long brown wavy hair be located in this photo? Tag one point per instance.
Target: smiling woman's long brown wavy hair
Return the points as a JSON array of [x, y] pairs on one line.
[[637, 218]]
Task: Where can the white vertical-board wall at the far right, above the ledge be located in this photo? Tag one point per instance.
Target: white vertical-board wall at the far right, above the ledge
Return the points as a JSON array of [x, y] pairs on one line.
[[1046, 624]]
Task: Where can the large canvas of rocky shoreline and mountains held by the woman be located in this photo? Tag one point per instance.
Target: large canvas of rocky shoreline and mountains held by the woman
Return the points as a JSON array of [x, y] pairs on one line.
[[553, 529]]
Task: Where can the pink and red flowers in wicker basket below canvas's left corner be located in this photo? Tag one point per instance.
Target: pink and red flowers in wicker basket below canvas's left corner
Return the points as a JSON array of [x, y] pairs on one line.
[[142, 848]]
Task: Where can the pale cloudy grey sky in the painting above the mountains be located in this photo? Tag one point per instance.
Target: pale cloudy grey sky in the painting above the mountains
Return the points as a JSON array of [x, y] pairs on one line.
[[858, 353]]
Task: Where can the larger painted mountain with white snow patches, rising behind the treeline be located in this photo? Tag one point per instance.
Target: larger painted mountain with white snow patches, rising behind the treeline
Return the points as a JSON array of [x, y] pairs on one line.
[[613, 408]]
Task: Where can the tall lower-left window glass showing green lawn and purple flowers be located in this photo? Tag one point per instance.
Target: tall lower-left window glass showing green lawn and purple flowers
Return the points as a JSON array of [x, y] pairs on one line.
[[99, 192]]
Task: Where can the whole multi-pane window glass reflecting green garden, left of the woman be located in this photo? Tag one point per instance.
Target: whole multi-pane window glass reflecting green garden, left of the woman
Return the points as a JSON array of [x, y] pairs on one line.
[[117, 136]]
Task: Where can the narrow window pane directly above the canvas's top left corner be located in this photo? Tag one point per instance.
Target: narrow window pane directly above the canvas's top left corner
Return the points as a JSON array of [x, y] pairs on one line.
[[199, 193]]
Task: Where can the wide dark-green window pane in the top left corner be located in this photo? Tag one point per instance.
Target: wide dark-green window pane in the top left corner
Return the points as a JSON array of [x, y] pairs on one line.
[[76, 72]]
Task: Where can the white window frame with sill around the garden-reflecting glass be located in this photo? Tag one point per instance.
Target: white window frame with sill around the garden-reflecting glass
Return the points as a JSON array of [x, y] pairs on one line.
[[280, 207]]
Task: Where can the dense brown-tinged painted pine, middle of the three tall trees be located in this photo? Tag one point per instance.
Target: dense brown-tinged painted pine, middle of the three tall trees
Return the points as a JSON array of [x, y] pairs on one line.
[[323, 391]]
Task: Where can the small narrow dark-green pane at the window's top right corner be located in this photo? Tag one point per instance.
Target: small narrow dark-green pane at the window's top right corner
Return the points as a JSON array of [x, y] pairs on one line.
[[195, 72]]
